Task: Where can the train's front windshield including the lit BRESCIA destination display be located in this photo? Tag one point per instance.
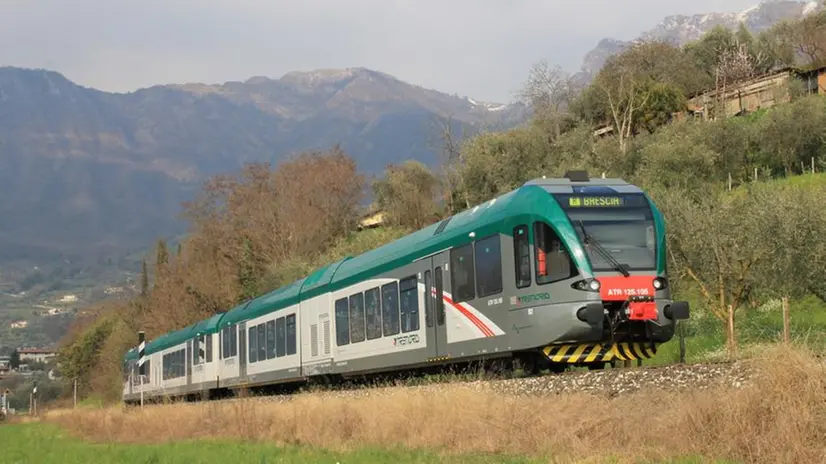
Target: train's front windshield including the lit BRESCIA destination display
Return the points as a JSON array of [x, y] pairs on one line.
[[616, 229]]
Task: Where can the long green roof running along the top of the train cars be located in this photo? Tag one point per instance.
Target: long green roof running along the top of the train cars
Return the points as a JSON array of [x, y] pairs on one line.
[[500, 214]]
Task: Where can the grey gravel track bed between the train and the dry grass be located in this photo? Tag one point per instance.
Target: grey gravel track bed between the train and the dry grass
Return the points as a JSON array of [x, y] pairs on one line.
[[610, 382]]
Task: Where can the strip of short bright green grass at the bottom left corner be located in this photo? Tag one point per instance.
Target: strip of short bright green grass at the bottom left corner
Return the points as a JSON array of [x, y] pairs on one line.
[[41, 443]]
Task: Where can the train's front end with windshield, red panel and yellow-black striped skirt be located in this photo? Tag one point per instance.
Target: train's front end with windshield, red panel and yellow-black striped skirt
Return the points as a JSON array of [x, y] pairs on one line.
[[618, 300]]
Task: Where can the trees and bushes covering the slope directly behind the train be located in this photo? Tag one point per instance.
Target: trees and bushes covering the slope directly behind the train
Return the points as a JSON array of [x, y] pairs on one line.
[[738, 238]]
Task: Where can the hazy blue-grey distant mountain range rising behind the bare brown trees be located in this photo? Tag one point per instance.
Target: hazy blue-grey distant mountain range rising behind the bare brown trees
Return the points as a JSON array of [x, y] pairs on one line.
[[91, 175]]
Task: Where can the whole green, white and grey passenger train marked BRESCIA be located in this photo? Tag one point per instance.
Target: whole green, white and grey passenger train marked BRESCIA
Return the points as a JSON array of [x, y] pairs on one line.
[[558, 272]]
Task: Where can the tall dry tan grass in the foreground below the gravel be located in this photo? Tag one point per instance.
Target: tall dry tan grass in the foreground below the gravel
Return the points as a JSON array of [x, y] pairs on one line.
[[778, 417]]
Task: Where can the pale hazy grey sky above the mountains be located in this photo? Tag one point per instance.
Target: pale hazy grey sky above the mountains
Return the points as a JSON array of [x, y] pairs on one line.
[[478, 48]]
